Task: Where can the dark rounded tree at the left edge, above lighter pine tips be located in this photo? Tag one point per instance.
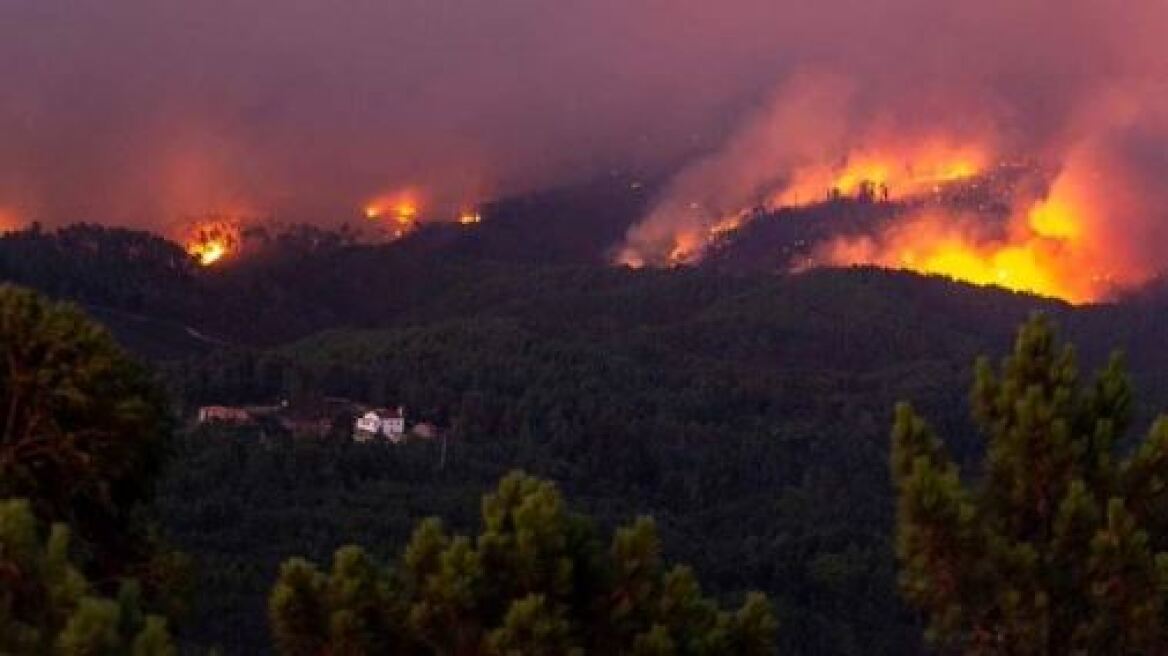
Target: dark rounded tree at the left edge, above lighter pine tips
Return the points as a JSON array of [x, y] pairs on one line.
[[82, 428]]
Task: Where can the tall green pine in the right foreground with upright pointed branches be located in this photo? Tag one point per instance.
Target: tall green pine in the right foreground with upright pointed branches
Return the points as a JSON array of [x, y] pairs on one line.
[[1060, 547]]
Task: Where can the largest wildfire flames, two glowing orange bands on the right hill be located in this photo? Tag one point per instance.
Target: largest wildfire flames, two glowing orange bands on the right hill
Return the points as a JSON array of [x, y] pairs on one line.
[[1055, 241]]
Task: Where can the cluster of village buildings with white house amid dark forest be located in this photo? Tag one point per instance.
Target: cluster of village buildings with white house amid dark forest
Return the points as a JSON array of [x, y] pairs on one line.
[[369, 424]]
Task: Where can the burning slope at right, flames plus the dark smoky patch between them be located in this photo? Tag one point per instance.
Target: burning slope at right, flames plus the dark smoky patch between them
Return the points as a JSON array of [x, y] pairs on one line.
[[953, 219]]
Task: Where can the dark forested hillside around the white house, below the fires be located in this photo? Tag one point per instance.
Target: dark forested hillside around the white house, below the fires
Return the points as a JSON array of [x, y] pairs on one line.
[[748, 414]]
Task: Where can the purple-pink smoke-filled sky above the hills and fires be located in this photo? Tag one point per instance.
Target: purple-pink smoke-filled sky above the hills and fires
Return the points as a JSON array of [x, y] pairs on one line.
[[144, 111]]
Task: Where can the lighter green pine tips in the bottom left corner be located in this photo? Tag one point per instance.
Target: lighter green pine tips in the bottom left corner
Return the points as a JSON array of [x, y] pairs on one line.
[[48, 608]]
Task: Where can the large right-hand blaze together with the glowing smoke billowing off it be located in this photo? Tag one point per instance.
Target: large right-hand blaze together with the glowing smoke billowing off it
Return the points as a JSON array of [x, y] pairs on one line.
[[1081, 227]]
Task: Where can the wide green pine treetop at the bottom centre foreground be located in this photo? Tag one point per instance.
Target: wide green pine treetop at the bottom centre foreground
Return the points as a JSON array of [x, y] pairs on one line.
[[537, 581]]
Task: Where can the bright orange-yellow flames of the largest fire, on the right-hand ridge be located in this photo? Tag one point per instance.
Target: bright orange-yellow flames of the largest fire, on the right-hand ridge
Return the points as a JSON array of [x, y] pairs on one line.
[[1047, 248]]
